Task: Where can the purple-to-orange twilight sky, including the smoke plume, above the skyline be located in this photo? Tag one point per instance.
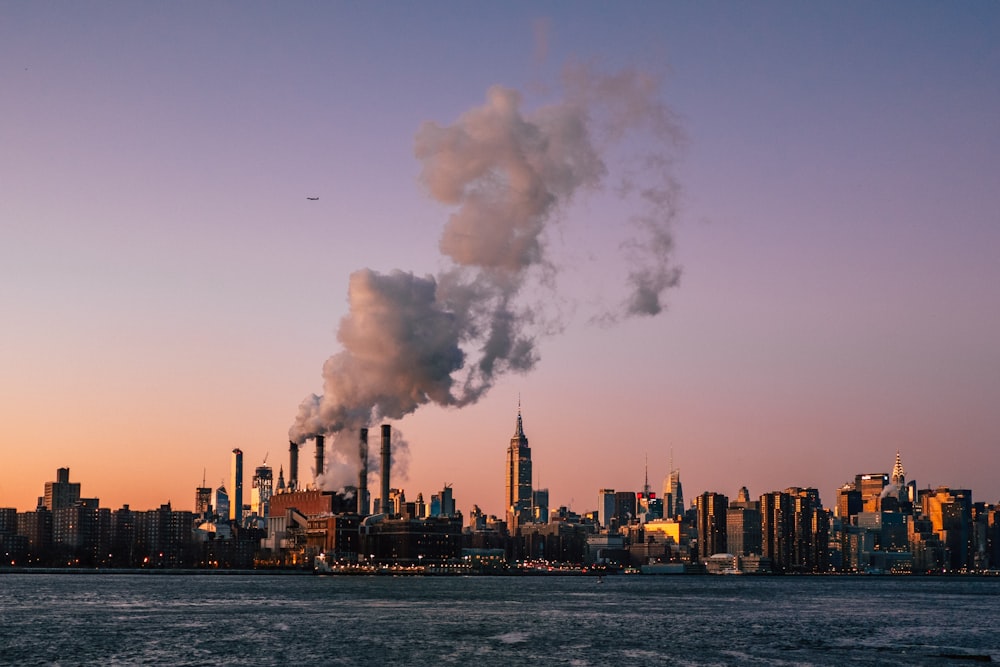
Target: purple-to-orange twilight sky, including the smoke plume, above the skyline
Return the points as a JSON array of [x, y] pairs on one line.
[[811, 194]]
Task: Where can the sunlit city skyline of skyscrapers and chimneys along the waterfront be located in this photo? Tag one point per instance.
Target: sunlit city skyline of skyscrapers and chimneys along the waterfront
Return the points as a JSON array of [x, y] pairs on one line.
[[880, 523]]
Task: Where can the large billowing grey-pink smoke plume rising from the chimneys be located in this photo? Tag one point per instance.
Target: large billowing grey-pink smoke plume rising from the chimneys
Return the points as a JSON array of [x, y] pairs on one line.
[[509, 174]]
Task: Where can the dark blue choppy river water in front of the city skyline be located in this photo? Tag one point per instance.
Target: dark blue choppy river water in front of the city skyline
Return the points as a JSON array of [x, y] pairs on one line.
[[641, 620]]
